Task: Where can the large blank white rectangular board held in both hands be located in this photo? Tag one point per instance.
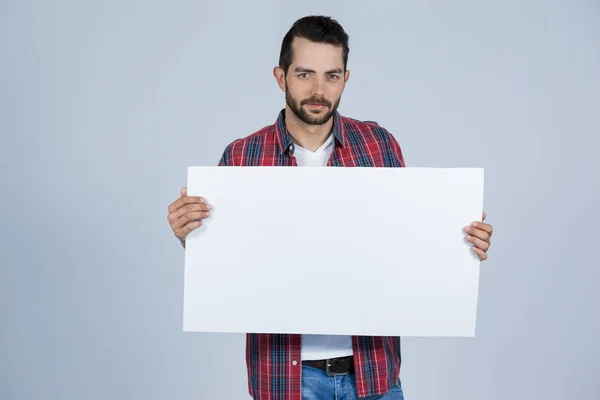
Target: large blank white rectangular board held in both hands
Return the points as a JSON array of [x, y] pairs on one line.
[[328, 250]]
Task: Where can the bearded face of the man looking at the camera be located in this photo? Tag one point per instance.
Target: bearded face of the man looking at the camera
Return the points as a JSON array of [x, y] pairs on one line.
[[315, 81]]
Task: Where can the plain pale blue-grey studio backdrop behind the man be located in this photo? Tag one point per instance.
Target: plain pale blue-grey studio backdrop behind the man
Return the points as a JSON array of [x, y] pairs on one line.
[[104, 105]]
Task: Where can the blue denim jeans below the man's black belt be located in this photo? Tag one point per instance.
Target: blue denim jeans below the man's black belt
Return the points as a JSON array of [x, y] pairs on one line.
[[317, 385]]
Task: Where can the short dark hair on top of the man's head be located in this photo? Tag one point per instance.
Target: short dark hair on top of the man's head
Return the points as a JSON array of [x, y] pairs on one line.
[[316, 28]]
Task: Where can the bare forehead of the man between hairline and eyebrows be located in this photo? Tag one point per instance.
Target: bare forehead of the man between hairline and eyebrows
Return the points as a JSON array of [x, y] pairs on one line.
[[316, 55]]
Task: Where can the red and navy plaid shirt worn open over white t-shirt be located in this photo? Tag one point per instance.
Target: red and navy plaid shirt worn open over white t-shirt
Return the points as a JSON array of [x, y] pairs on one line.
[[274, 360]]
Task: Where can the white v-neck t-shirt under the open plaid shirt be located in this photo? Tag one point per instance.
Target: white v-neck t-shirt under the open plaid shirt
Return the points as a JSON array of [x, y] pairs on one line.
[[319, 347]]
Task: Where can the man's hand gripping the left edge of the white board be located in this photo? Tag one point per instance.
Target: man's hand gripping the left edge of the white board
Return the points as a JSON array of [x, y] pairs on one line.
[[186, 214]]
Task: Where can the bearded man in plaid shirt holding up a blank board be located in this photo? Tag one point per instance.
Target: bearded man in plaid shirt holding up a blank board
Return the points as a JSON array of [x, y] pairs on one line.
[[312, 72]]
